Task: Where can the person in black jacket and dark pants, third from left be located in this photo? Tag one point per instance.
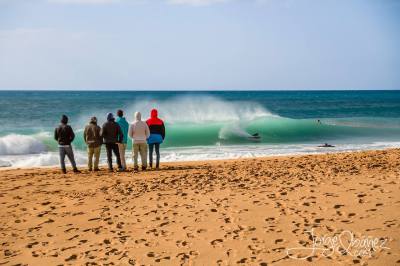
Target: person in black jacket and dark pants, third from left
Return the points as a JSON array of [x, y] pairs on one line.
[[112, 135]]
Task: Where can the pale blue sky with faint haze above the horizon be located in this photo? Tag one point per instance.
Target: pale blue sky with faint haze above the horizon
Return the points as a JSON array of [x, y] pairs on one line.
[[199, 44]]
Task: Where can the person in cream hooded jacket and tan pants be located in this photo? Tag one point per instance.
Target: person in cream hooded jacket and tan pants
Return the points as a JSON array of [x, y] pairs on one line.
[[139, 132]]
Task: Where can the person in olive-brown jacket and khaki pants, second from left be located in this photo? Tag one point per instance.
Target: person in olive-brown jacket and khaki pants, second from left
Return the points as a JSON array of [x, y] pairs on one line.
[[92, 137]]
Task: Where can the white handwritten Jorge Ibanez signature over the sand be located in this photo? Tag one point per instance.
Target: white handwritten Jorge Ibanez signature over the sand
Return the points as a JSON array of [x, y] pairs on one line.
[[344, 243]]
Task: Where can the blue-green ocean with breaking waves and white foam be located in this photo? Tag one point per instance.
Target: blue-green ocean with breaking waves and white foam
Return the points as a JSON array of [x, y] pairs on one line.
[[205, 125]]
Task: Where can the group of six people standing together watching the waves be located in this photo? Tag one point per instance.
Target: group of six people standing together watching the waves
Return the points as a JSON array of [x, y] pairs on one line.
[[114, 135]]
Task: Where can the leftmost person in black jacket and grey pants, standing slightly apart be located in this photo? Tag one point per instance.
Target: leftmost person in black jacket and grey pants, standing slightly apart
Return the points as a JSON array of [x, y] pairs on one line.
[[64, 135]]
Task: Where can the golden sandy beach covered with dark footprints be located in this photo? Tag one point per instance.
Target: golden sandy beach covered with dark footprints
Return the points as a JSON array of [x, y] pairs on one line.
[[251, 212]]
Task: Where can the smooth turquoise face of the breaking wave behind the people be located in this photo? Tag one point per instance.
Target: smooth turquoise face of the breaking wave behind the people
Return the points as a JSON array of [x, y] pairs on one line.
[[271, 130]]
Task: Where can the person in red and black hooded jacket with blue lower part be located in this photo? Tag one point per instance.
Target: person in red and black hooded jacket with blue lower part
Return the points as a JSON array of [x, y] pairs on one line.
[[157, 136]]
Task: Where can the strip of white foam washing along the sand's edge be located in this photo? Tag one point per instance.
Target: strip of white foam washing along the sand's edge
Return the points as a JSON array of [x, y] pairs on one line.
[[200, 153]]
